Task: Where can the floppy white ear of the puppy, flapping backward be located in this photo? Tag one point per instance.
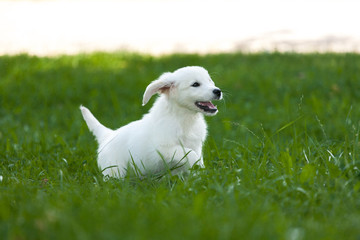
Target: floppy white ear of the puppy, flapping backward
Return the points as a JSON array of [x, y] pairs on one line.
[[162, 84]]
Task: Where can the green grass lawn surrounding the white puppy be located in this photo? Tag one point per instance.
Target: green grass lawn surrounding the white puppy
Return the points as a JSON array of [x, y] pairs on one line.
[[282, 156]]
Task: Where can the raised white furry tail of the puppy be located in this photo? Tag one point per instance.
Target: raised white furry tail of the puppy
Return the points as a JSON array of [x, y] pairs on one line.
[[100, 131]]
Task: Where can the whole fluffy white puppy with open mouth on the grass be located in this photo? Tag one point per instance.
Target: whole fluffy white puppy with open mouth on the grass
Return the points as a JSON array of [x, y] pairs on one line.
[[170, 136]]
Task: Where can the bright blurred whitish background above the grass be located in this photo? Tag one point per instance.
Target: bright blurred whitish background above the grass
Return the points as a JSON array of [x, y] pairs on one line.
[[52, 27]]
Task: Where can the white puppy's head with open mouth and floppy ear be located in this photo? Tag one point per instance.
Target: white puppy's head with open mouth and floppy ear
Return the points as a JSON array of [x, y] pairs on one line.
[[188, 87]]
